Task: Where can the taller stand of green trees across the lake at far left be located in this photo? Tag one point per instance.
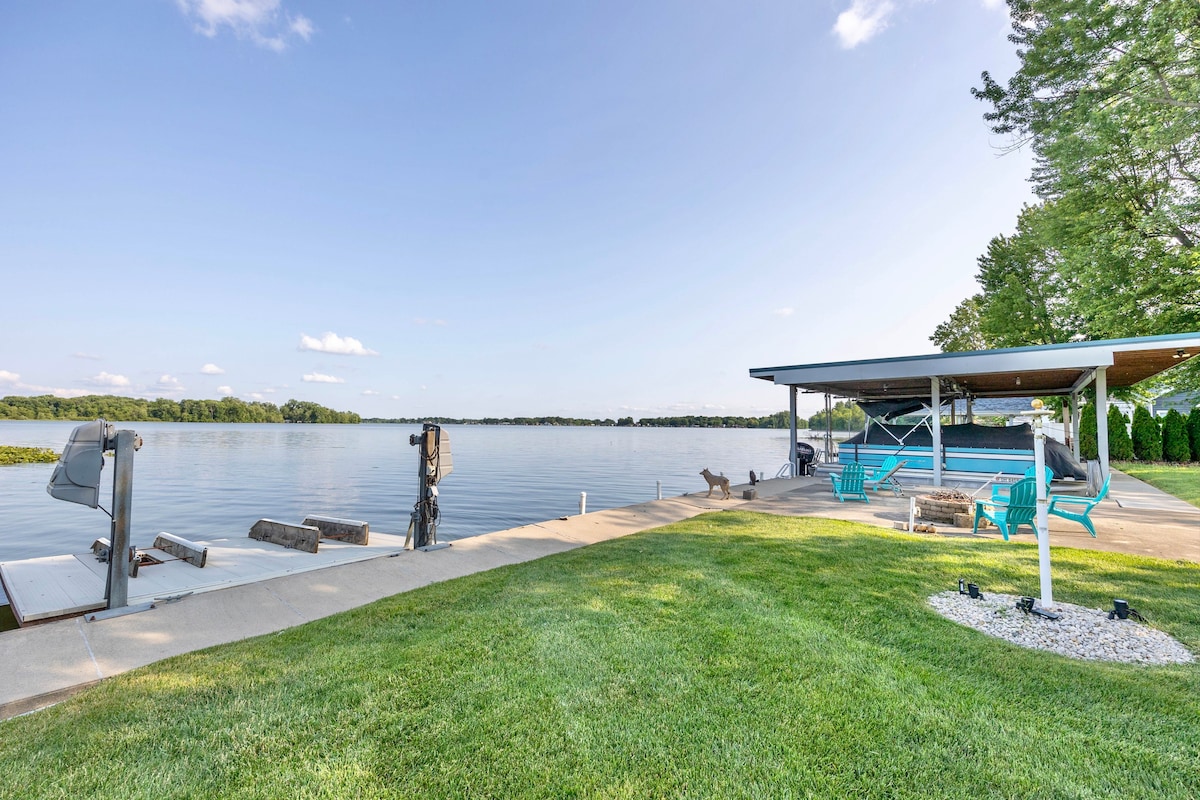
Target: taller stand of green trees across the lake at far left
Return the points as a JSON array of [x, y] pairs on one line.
[[133, 410]]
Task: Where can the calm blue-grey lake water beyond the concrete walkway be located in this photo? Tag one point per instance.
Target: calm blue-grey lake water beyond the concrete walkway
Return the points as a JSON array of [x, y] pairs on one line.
[[206, 482]]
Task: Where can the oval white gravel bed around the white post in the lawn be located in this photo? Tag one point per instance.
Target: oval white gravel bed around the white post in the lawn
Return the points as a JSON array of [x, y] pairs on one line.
[[1081, 634]]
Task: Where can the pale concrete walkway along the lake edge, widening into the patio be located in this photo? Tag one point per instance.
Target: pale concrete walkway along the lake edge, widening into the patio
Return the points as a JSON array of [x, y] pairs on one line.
[[46, 664]]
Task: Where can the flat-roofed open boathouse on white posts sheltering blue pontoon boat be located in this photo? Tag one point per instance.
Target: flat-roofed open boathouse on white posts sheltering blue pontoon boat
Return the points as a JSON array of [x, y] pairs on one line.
[[885, 388]]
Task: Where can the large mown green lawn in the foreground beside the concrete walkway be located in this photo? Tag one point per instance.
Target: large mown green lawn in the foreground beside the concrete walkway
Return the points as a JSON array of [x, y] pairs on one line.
[[734, 655]]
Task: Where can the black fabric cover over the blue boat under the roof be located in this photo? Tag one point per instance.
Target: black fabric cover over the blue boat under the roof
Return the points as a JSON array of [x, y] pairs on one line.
[[1016, 437]]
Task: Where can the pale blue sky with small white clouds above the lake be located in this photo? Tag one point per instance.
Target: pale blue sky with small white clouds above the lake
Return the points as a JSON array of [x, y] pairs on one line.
[[490, 209]]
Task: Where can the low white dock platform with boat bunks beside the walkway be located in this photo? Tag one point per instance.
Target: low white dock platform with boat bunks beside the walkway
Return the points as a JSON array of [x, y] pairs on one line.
[[65, 586]]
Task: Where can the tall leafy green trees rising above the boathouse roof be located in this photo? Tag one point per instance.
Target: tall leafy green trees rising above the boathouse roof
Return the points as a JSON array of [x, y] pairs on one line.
[[1108, 98]]
